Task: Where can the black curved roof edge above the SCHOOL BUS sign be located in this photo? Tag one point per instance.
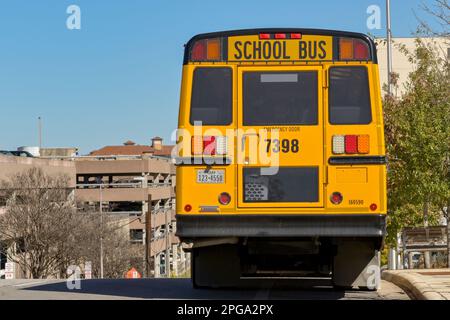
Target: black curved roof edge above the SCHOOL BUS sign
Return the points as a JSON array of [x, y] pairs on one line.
[[304, 31]]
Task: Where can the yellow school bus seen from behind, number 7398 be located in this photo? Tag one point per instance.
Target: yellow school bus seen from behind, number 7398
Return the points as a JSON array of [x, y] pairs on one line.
[[281, 170]]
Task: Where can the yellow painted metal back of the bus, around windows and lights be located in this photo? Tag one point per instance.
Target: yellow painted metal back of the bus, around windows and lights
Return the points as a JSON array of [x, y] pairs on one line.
[[358, 193]]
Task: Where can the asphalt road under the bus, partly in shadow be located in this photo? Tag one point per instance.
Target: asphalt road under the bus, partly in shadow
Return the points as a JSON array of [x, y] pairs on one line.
[[182, 289]]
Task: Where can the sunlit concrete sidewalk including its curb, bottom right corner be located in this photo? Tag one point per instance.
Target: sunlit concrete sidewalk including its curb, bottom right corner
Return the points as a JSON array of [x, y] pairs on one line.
[[421, 284]]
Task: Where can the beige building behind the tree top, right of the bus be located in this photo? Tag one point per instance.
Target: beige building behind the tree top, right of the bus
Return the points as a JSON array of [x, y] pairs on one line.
[[400, 63]]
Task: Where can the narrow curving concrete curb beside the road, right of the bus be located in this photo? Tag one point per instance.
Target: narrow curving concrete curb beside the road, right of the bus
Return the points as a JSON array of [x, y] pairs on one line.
[[413, 283]]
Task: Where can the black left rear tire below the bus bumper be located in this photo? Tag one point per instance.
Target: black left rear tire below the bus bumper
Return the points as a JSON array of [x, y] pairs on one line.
[[215, 267]]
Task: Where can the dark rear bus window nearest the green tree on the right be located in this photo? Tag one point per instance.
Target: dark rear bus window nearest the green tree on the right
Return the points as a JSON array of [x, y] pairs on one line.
[[349, 97]]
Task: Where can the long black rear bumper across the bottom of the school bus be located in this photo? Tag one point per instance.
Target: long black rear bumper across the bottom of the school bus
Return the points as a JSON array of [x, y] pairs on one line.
[[202, 225]]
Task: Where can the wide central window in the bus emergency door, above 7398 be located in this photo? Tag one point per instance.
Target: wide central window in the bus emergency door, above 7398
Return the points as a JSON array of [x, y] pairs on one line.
[[280, 98]]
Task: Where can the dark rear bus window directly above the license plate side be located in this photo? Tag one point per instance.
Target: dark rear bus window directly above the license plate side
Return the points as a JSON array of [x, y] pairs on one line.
[[211, 101]]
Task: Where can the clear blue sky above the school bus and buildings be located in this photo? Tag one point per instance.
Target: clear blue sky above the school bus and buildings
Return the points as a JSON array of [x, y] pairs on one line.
[[118, 78]]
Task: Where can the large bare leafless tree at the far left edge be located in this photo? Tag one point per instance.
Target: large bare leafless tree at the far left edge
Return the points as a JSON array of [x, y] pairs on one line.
[[39, 222]]
